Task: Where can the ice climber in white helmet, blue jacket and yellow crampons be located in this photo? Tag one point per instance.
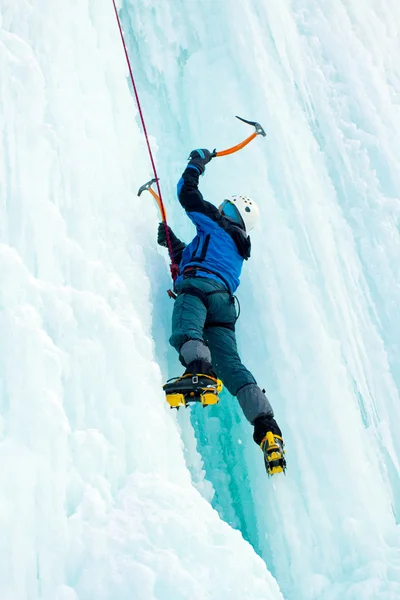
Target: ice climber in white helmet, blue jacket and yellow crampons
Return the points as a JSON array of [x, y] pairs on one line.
[[204, 315]]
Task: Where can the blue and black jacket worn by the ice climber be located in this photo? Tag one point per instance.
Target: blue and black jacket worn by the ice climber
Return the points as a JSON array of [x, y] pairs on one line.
[[220, 246]]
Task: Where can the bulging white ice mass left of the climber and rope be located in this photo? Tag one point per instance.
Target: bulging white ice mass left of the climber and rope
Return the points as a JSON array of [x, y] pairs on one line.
[[96, 500]]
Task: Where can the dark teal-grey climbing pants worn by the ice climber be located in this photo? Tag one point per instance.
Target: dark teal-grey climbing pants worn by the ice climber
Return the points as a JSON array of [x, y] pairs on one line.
[[198, 331]]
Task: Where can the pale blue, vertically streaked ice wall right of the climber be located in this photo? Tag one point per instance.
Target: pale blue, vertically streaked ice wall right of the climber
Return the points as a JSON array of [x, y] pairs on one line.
[[320, 321]]
